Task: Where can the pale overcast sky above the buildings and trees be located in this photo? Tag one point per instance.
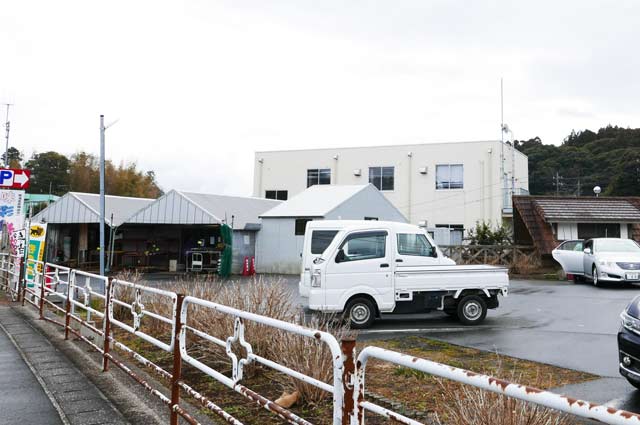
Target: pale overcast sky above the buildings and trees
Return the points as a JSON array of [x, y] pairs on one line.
[[198, 86]]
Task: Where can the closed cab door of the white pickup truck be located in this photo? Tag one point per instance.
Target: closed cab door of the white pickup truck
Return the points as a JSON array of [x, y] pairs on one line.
[[363, 259]]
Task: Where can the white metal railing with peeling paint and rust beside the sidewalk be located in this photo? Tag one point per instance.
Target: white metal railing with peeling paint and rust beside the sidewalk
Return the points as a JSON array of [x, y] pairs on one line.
[[91, 307]]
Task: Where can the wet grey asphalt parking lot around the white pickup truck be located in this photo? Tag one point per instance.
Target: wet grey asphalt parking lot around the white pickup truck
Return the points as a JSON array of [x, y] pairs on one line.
[[558, 323]]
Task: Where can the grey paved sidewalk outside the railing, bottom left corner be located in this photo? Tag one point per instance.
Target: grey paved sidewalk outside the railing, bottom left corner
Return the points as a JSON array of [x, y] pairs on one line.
[[39, 385]]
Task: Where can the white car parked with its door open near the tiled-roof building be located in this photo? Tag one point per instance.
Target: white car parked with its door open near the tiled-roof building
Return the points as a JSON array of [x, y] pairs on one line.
[[601, 259]]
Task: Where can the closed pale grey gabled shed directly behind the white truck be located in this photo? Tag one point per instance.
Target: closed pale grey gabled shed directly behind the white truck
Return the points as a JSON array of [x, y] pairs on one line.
[[279, 244]]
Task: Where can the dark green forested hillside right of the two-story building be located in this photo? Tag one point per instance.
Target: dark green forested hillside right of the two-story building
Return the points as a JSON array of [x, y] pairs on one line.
[[609, 158]]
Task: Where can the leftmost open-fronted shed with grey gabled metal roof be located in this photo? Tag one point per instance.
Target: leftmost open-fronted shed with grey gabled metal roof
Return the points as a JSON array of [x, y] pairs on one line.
[[73, 225]]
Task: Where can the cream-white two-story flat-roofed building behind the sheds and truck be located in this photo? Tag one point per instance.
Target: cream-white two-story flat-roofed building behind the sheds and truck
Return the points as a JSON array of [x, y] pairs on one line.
[[450, 185]]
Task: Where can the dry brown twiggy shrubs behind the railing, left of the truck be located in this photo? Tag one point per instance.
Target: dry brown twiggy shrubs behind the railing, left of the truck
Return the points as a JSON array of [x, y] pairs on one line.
[[268, 297]]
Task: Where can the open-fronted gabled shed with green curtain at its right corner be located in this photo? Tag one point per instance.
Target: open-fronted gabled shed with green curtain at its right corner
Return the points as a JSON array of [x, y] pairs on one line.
[[183, 230]]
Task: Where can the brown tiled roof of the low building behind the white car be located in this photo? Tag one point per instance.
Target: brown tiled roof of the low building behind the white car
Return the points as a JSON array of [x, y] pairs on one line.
[[587, 210]]
